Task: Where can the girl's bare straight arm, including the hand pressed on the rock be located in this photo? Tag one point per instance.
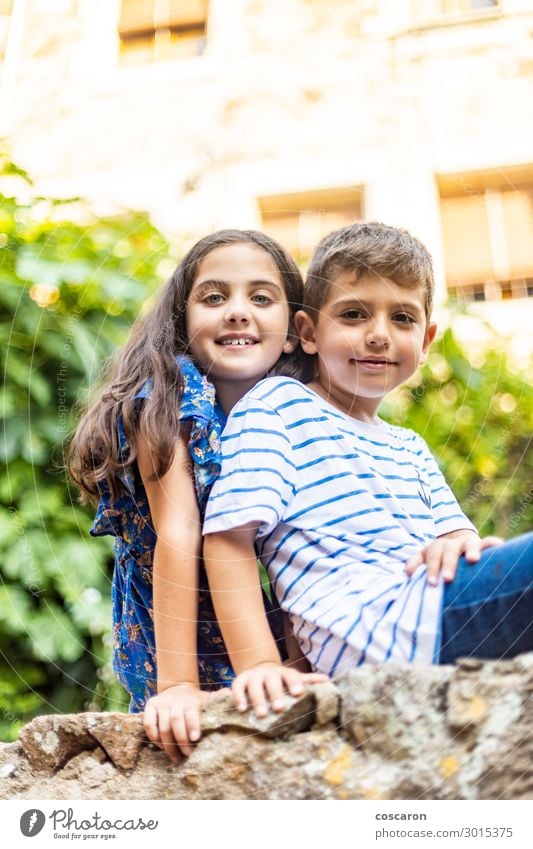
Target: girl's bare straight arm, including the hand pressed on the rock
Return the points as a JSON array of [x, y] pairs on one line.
[[173, 716]]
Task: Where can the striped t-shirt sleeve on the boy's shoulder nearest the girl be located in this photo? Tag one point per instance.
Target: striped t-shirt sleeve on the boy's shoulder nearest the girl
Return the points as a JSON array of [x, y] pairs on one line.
[[257, 477]]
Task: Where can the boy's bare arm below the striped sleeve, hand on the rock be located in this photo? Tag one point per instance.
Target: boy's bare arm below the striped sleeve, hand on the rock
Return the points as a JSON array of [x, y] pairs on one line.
[[231, 565]]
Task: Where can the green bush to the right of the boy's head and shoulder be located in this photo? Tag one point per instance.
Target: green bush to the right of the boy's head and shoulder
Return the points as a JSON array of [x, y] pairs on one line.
[[478, 421]]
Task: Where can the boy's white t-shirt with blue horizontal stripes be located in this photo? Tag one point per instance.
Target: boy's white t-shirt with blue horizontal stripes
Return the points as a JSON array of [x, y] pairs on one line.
[[341, 505]]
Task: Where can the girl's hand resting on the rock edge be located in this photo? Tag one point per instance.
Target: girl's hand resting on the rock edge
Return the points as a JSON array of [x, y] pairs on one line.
[[172, 719]]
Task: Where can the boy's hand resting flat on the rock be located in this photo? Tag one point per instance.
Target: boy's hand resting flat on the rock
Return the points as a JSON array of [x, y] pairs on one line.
[[264, 686]]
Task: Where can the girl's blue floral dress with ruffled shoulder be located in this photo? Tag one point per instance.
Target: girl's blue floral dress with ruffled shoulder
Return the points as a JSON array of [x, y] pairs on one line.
[[128, 520]]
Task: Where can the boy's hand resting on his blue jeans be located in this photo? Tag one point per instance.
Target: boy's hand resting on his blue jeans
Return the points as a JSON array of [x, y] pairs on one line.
[[441, 555]]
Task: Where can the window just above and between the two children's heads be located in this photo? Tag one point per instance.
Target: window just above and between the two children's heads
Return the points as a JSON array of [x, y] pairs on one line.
[[299, 221]]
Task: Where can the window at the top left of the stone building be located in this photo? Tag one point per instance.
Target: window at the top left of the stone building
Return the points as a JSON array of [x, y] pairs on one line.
[[154, 30]]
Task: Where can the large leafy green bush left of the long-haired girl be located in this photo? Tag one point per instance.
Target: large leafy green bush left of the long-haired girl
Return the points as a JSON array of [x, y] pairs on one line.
[[68, 293]]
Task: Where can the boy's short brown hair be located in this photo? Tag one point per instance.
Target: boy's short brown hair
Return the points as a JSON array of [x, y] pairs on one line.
[[369, 248]]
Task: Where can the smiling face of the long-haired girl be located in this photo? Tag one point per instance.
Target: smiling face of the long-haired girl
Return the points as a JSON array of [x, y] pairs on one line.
[[237, 318]]
